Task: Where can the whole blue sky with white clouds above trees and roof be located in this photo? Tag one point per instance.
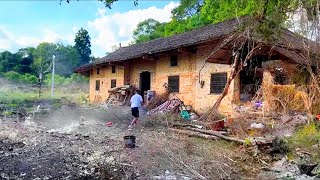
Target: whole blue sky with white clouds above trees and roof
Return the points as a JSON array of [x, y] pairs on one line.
[[28, 23]]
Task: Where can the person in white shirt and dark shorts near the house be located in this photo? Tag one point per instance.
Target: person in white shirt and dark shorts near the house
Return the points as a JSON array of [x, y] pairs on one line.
[[136, 101]]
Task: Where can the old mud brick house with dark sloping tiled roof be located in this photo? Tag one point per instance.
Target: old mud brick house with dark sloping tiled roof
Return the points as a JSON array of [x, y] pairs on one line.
[[195, 65]]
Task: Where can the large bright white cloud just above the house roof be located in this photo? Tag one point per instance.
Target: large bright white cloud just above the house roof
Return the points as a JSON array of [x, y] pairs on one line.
[[110, 30]]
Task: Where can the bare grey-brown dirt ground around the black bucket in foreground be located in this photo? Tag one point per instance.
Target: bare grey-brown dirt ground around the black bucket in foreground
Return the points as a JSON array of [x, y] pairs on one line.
[[54, 145]]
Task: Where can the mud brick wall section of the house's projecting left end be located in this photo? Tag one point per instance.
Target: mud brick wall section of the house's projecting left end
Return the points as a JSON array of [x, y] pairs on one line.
[[105, 76]]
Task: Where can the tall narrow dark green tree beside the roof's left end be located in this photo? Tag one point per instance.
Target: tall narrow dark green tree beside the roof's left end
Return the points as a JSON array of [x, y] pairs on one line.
[[82, 44]]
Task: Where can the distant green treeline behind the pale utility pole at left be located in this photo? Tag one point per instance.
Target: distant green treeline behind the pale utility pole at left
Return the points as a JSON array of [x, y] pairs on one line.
[[27, 64]]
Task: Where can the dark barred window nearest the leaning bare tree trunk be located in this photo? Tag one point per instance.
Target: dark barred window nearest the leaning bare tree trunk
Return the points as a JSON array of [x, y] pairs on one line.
[[218, 82]]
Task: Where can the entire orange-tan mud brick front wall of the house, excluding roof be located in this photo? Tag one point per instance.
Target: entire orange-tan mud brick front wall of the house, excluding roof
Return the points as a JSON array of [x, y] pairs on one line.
[[190, 90]]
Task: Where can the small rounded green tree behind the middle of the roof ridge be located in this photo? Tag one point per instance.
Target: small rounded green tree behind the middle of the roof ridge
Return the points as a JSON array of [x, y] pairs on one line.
[[147, 30]]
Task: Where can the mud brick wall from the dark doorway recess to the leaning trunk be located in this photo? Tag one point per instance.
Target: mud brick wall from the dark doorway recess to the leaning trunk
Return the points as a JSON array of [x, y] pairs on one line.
[[190, 91]]
